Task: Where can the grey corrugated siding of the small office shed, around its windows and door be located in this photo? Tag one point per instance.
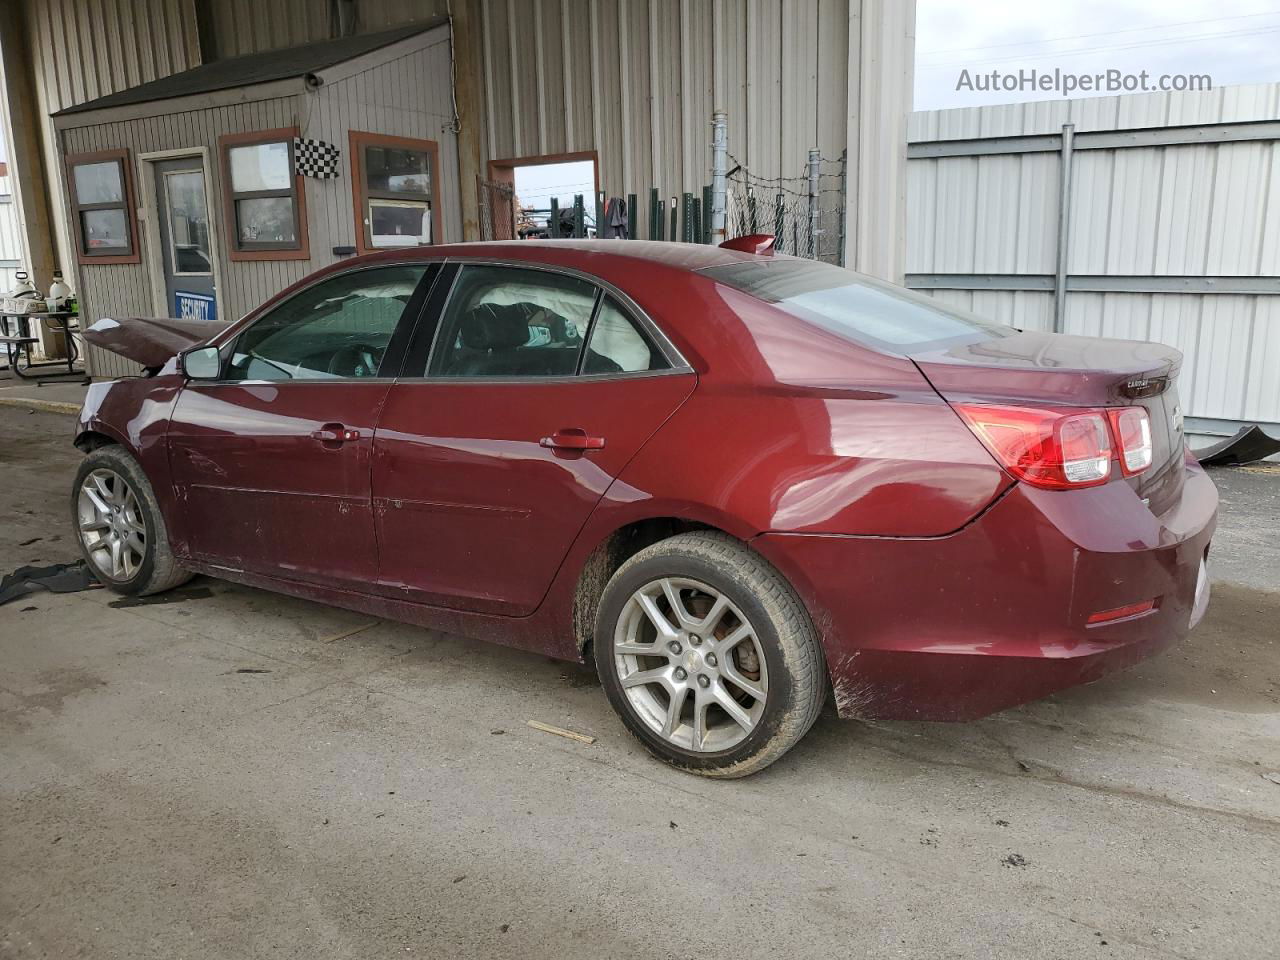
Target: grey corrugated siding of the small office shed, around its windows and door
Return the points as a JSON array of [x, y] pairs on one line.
[[409, 97]]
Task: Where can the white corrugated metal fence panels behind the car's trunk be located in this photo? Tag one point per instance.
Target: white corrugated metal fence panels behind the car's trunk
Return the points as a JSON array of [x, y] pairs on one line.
[[1188, 211]]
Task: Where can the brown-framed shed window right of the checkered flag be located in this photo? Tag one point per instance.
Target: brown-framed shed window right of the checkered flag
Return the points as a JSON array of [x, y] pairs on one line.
[[396, 191]]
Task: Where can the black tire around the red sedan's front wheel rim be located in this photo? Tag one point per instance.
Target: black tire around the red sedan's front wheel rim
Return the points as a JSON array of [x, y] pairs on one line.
[[158, 572]]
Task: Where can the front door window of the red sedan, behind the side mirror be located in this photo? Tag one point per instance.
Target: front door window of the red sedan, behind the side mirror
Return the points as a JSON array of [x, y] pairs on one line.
[[337, 330]]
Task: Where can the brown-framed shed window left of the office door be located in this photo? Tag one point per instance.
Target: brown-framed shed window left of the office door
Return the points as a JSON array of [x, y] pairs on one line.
[[102, 198]]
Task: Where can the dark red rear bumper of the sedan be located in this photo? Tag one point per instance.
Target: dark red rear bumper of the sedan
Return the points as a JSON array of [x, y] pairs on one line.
[[996, 615]]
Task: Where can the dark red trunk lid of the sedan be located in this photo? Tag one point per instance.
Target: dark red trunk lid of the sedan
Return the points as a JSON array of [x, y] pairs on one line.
[[1080, 372]]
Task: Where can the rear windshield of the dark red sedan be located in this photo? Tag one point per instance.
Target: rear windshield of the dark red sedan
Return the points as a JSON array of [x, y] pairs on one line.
[[856, 307]]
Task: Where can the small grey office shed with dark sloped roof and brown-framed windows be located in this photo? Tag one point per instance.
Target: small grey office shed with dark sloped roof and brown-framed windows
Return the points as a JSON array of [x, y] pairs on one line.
[[208, 159]]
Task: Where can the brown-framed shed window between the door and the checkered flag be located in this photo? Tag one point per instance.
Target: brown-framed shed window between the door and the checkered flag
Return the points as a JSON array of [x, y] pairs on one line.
[[264, 199]]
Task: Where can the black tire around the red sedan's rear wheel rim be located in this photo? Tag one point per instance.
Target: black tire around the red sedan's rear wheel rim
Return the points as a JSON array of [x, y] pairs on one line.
[[797, 680]]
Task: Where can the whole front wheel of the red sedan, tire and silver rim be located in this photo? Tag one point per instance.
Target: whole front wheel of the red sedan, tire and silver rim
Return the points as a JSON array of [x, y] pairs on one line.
[[120, 528]]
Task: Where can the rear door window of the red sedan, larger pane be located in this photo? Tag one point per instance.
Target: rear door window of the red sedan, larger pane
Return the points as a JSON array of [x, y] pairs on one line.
[[511, 322]]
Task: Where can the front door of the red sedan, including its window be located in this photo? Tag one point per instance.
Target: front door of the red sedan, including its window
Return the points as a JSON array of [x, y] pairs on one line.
[[272, 463]]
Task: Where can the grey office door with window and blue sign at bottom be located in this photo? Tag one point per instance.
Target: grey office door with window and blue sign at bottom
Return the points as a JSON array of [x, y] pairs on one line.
[[186, 250]]
